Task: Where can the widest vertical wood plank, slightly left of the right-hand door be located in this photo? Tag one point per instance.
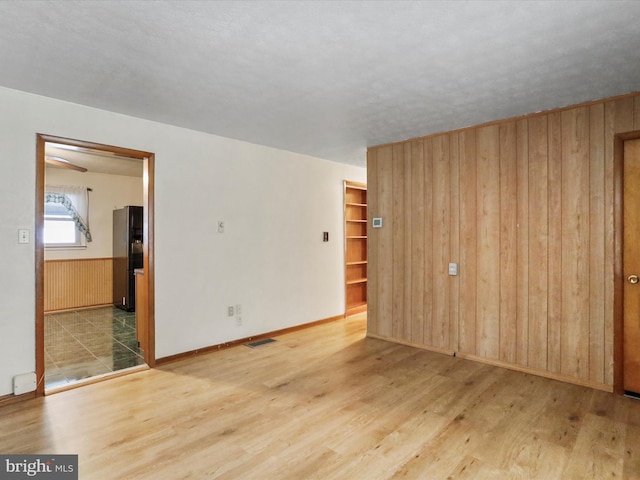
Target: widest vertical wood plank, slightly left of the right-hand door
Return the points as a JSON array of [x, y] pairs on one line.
[[575, 240]]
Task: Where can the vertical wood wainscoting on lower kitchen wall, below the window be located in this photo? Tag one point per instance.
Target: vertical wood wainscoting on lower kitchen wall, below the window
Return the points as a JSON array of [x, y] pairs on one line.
[[77, 283]]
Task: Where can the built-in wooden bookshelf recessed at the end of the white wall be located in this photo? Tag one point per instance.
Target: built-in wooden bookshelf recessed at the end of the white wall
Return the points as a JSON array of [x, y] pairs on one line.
[[355, 228]]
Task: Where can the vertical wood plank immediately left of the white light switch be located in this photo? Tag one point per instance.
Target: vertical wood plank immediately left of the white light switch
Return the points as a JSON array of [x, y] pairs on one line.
[[441, 206]]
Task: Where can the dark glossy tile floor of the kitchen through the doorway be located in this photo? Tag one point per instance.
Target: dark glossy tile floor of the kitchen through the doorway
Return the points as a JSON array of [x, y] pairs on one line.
[[85, 343]]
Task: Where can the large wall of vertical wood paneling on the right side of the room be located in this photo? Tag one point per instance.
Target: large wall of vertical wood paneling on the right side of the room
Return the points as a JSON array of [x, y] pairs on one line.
[[526, 208]]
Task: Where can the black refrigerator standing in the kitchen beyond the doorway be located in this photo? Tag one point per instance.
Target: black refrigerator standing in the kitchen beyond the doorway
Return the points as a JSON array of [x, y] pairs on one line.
[[127, 255]]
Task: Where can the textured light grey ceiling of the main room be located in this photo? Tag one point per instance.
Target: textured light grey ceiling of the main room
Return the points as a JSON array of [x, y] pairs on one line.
[[323, 78]]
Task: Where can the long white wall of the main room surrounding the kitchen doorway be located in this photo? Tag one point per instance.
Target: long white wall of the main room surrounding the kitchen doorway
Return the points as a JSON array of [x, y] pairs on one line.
[[271, 259]]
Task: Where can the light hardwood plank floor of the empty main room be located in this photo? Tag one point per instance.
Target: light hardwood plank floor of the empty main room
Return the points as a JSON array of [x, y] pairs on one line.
[[328, 403]]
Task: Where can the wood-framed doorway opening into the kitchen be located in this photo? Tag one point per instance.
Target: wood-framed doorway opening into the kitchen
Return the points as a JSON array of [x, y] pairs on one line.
[[81, 334]]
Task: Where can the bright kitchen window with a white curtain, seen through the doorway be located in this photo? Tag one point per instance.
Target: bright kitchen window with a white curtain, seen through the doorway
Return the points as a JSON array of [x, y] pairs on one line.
[[66, 211]]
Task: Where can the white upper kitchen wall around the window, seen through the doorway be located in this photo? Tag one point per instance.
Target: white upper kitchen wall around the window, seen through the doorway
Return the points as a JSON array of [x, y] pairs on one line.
[[109, 192]]
